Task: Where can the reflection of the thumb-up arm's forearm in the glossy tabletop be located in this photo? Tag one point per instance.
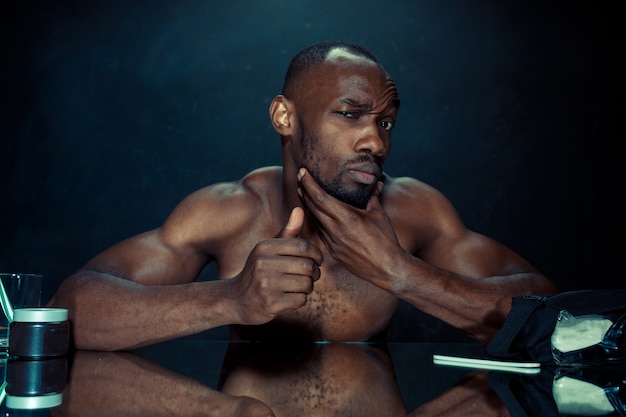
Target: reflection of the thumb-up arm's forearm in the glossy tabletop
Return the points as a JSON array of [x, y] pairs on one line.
[[122, 383]]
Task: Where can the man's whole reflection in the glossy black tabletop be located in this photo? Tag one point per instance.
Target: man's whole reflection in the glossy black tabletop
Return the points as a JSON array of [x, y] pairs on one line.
[[328, 379]]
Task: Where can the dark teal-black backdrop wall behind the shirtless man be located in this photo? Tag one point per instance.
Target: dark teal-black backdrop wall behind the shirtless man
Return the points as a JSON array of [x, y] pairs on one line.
[[113, 111]]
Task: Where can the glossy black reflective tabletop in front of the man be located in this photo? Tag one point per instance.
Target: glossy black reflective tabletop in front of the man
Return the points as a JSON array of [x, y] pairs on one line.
[[197, 377]]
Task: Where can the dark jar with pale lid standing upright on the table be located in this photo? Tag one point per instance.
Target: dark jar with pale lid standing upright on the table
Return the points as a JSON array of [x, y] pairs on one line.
[[39, 333]]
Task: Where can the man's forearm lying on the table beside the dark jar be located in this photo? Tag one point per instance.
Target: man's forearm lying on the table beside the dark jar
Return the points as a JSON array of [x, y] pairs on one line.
[[111, 313]]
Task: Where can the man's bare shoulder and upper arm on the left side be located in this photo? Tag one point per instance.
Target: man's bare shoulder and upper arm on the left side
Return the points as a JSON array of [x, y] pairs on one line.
[[188, 240]]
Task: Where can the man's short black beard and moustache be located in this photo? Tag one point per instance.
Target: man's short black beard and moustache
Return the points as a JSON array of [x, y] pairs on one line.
[[357, 197]]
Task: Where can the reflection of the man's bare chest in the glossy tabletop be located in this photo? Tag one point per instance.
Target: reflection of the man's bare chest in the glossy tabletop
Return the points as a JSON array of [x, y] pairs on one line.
[[315, 379]]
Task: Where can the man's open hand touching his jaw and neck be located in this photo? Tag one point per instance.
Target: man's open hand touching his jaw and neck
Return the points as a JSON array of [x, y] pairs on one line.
[[363, 241]]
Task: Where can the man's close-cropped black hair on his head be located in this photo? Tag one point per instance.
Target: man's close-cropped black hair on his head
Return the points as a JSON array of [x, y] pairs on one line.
[[314, 55]]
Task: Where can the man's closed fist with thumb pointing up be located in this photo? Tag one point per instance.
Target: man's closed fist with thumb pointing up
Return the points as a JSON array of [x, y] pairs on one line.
[[278, 275]]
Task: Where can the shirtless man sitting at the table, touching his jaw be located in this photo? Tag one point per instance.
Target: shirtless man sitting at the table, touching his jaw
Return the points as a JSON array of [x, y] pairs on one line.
[[326, 244]]
